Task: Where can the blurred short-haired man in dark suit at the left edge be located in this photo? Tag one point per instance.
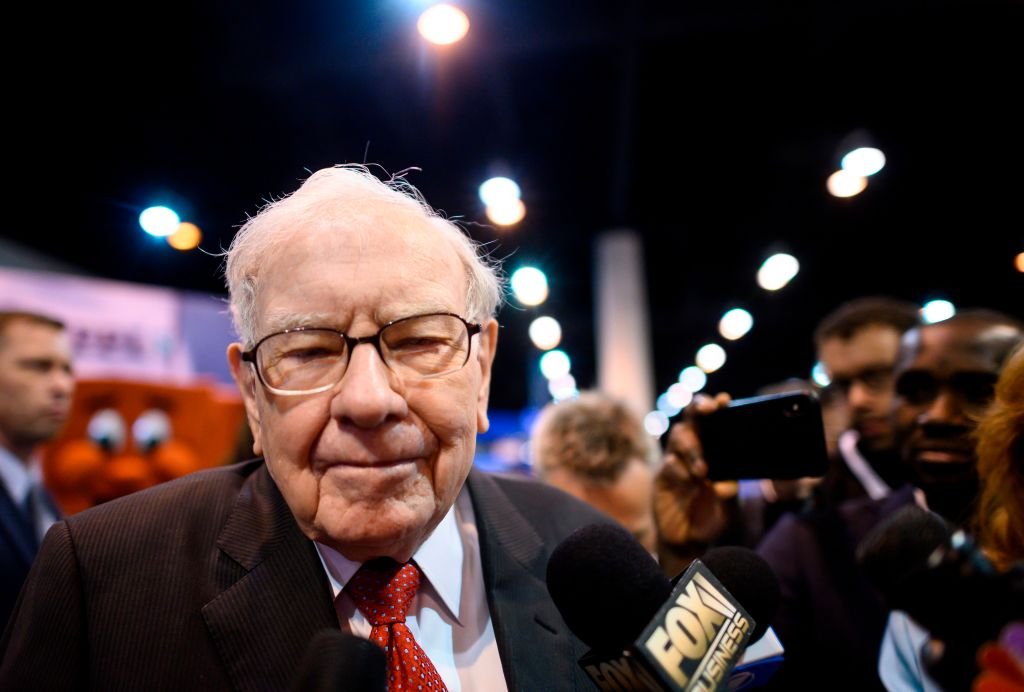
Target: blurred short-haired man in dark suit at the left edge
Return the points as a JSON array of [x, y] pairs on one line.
[[36, 386]]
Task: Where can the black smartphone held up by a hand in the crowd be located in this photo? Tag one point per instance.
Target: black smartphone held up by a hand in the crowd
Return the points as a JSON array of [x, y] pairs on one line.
[[780, 437]]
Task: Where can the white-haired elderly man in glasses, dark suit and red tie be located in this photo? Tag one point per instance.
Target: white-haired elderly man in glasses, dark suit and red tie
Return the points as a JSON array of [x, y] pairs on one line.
[[368, 337]]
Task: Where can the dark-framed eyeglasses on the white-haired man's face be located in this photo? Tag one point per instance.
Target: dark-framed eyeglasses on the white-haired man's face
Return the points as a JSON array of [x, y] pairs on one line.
[[308, 361]]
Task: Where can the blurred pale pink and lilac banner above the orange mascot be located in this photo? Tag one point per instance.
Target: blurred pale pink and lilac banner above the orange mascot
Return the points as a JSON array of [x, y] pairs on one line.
[[129, 331]]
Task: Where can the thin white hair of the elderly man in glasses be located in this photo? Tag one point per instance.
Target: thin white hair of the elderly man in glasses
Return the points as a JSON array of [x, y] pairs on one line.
[[346, 197]]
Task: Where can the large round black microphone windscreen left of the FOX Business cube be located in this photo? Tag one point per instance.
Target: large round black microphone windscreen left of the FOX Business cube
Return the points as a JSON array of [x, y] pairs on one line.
[[606, 586]]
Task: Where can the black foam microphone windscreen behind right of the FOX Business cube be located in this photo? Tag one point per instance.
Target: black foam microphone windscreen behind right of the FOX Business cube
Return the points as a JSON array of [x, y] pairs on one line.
[[751, 581]]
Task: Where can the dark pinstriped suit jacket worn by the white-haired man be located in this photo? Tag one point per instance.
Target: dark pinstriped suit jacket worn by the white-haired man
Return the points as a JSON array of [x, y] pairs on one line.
[[207, 584]]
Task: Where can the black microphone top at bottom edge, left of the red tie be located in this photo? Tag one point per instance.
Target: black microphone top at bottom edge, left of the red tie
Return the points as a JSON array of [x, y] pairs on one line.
[[340, 661]]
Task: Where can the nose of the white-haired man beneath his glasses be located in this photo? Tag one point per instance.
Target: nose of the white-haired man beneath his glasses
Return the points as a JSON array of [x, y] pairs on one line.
[[370, 393]]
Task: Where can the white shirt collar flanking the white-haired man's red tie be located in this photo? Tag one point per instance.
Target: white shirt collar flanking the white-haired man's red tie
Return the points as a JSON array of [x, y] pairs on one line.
[[440, 558]]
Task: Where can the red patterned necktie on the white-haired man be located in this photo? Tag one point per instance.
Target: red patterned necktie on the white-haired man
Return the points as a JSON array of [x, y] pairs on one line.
[[383, 591]]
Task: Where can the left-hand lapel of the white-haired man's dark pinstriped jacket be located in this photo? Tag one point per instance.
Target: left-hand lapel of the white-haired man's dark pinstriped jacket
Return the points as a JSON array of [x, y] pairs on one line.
[[264, 620]]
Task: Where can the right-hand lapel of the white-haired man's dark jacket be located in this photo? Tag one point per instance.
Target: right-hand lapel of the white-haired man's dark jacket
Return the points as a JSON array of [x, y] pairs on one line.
[[534, 642]]
